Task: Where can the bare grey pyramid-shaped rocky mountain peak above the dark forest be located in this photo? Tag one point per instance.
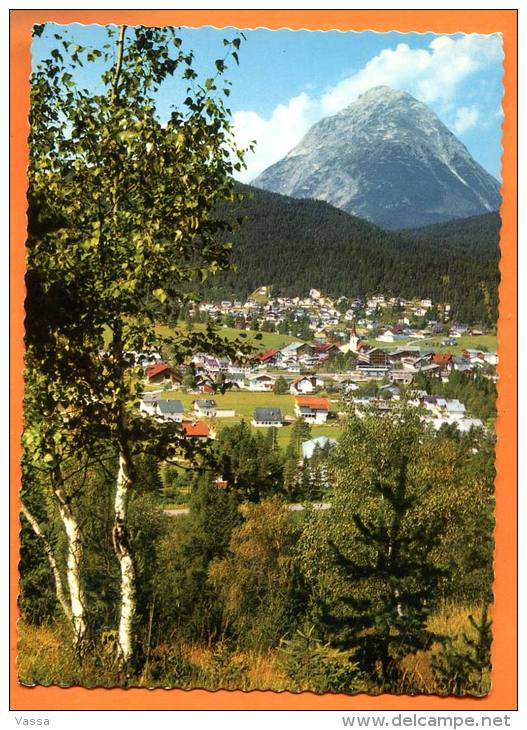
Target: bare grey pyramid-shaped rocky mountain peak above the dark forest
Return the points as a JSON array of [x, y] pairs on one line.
[[388, 158]]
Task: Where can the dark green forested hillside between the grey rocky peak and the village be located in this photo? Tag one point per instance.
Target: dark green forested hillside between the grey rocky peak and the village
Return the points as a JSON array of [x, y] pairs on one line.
[[299, 244]]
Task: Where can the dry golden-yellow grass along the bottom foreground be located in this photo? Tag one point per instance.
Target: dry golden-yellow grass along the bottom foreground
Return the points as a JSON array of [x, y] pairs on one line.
[[44, 658]]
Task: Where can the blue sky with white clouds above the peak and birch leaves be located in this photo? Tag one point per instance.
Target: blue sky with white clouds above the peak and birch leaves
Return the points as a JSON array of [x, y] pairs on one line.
[[288, 80]]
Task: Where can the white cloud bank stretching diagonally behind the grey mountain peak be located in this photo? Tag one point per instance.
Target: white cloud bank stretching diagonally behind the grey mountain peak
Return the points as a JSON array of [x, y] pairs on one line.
[[433, 75]]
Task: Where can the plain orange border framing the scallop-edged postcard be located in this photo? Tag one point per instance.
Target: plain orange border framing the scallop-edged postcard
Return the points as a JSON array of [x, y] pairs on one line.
[[504, 692]]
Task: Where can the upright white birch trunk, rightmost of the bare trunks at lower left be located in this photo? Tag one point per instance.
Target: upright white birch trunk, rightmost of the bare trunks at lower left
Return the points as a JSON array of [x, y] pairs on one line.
[[124, 556]]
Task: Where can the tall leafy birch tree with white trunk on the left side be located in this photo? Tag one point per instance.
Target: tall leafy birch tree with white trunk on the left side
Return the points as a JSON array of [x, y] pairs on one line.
[[123, 223]]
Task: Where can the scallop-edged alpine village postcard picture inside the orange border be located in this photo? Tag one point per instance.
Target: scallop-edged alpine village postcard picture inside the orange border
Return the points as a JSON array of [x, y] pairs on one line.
[[261, 354]]
